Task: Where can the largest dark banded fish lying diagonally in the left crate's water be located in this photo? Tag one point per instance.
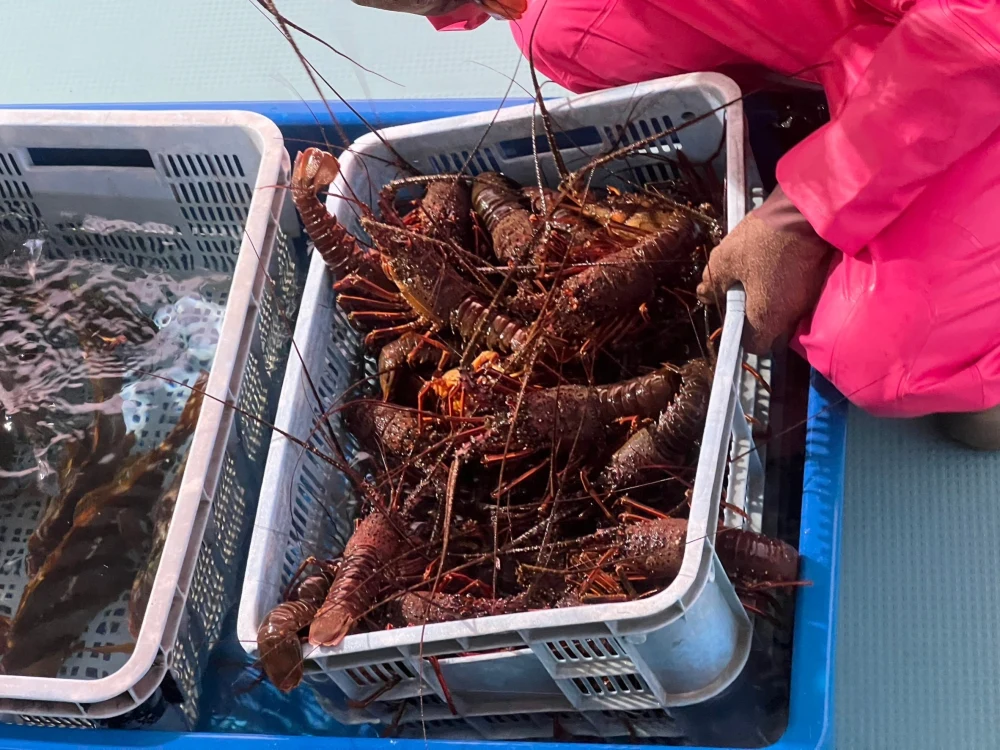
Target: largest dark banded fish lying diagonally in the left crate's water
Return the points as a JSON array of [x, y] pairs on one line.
[[96, 560]]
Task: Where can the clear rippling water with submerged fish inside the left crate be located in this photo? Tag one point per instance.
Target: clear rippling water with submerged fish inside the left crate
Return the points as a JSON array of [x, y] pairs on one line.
[[100, 365]]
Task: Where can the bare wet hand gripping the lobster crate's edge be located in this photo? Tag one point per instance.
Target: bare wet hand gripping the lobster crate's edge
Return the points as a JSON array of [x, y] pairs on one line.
[[782, 270]]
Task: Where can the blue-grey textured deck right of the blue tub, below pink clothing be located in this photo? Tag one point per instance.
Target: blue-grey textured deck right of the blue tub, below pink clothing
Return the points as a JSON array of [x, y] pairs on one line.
[[919, 635]]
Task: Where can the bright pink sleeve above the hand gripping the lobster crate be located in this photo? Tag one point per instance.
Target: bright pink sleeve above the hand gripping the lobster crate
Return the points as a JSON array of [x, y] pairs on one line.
[[930, 95]]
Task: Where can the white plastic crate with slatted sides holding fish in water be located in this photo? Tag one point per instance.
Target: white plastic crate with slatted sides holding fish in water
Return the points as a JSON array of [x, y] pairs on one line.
[[193, 191]]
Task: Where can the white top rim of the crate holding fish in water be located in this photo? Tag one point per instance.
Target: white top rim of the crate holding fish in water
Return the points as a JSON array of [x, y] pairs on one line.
[[200, 464]]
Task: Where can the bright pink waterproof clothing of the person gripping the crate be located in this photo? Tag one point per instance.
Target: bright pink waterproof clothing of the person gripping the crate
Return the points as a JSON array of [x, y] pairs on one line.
[[904, 181]]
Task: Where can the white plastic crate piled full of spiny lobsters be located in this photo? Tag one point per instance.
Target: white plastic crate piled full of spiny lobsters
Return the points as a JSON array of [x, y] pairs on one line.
[[679, 647]]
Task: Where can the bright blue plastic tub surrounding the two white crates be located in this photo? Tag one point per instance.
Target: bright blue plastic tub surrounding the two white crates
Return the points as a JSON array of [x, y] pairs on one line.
[[811, 711]]
